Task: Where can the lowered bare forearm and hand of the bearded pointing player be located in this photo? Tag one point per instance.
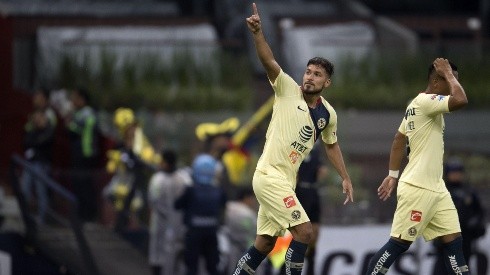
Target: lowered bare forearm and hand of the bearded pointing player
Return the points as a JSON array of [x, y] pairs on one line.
[[335, 156]]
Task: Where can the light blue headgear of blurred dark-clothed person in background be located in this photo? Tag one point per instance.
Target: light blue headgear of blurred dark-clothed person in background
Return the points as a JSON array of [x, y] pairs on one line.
[[205, 169]]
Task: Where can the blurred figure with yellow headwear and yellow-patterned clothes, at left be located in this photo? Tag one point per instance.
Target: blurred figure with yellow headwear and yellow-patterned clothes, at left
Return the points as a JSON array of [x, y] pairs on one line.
[[131, 164]]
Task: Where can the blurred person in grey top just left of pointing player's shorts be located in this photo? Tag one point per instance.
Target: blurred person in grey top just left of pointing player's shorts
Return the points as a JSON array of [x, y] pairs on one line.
[[241, 225]]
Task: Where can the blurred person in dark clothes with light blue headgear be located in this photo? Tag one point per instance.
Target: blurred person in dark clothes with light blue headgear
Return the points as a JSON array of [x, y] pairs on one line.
[[203, 204]]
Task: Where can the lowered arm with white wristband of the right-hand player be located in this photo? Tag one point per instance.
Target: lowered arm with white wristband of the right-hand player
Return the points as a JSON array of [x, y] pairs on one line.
[[396, 155]]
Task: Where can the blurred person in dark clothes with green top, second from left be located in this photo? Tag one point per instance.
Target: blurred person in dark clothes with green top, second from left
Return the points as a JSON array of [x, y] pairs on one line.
[[84, 145]]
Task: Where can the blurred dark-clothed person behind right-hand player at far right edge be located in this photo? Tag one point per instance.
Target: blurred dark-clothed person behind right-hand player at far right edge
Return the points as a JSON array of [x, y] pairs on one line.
[[470, 211]]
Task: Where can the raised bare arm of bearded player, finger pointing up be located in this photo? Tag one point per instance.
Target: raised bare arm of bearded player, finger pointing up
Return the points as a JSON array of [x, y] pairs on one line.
[[263, 49]]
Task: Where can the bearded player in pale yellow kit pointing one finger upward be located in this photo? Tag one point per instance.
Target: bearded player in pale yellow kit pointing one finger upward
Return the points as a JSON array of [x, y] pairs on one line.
[[300, 116]]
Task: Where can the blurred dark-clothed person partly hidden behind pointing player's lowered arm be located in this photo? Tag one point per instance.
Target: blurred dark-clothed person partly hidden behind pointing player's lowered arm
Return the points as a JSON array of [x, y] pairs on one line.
[[310, 171]]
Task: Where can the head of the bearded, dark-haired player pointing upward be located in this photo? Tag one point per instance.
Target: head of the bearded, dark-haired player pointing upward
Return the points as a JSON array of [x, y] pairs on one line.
[[317, 75]]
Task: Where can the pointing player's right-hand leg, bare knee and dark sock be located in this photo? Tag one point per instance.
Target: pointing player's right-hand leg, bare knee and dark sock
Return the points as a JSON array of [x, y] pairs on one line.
[[295, 255]]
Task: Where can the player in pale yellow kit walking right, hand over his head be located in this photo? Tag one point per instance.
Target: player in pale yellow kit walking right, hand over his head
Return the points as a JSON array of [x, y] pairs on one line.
[[424, 203]]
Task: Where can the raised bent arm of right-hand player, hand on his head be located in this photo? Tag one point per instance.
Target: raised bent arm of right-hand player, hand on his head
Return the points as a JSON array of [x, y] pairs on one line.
[[457, 99]]
